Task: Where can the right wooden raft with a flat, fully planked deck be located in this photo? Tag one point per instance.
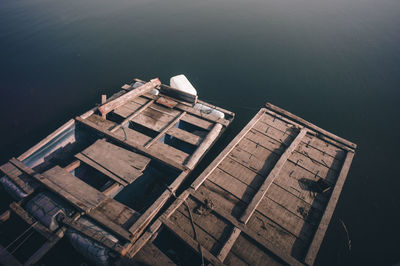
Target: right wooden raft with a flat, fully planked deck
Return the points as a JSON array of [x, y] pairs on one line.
[[267, 198]]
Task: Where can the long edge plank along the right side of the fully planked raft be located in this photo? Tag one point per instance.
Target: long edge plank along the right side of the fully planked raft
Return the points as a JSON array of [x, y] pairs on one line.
[[323, 226]]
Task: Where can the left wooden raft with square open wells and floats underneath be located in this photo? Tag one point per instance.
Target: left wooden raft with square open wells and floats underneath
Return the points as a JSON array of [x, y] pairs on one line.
[[102, 177]]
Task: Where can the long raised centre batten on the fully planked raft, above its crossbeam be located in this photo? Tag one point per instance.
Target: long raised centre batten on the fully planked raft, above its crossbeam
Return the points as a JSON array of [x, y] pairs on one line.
[[274, 172]]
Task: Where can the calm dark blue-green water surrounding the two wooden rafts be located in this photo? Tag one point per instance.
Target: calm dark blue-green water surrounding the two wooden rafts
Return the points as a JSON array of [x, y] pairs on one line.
[[334, 62]]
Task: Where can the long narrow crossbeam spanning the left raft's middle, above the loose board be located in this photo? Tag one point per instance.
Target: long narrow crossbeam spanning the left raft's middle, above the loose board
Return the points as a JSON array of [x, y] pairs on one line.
[[152, 153]]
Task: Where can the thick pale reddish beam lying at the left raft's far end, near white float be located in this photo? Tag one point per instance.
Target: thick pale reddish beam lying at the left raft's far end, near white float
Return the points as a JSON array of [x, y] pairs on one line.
[[111, 105]]
